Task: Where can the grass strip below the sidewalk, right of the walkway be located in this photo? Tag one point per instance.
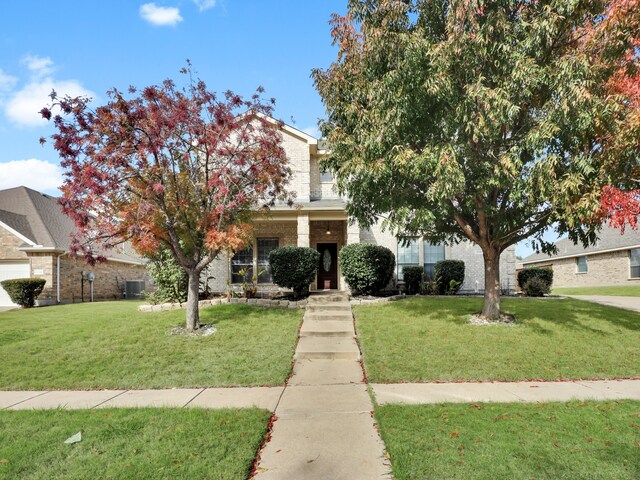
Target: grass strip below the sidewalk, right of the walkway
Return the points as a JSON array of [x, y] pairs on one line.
[[577, 440]]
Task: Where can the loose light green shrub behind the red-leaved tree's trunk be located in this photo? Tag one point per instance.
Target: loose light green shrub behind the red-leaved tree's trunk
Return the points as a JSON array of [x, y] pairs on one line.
[[171, 280]]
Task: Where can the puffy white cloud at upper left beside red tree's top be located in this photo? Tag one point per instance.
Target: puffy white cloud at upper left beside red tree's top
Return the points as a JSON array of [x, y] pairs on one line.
[[23, 106]]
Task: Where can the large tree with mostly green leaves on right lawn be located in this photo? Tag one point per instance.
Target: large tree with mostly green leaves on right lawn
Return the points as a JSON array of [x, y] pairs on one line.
[[477, 120]]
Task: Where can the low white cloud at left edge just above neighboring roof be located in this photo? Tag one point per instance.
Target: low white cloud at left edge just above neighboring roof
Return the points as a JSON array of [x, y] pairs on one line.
[[33, 173]]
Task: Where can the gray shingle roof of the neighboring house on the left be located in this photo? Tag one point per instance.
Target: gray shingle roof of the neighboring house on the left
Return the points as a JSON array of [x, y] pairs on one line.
[[39, 218]]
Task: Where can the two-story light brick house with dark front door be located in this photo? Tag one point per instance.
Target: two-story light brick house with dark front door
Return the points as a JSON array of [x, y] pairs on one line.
[[319, 220]]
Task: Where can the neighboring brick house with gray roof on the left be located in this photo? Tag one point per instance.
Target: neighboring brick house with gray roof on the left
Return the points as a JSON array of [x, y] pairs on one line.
[[34, 242]]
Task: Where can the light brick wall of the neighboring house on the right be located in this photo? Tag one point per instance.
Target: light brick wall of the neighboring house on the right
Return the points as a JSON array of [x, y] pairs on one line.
[[604, 269]]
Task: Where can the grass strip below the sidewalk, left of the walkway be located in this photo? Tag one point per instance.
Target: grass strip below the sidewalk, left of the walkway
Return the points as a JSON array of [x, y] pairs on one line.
[[130, 443]]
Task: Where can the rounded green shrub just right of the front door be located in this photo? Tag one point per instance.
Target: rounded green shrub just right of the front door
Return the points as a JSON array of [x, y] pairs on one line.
[[367, 268]]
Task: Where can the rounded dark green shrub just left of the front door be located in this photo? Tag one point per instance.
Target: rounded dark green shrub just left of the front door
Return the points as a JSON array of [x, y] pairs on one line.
[[294, 267]]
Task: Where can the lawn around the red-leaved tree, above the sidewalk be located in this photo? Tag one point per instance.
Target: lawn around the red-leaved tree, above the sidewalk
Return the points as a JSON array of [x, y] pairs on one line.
[[112, 345]]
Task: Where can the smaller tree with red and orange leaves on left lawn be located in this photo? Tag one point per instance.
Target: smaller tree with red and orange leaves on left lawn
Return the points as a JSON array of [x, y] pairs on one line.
[[169, 167]]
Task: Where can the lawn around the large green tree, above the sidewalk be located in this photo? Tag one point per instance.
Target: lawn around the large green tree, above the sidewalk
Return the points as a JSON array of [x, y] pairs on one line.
[[429, 339]]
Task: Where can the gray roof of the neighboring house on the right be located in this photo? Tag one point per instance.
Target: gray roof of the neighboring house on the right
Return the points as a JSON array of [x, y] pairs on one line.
[[608, 239]]
